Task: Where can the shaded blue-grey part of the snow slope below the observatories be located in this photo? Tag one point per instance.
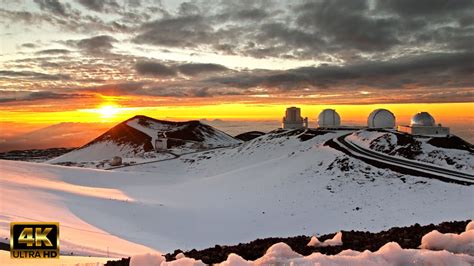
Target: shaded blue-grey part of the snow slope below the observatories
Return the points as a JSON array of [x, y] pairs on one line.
[[286, 183]]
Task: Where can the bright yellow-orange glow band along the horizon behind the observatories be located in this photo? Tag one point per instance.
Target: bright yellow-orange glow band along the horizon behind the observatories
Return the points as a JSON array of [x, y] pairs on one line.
[[111, 112]]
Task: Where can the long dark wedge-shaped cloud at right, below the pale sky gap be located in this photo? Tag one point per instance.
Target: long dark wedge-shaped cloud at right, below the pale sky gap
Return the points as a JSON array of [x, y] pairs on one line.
[[432, 70]]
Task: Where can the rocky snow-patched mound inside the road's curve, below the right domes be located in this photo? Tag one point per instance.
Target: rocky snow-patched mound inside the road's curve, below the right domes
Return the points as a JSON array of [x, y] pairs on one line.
[[450, 152]]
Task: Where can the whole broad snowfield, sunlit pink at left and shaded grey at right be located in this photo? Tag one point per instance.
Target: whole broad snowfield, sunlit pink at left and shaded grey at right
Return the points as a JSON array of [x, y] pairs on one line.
[[275, 185]]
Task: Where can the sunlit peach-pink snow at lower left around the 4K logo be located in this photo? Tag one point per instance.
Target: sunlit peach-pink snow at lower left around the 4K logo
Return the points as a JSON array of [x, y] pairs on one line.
[[34, 192]]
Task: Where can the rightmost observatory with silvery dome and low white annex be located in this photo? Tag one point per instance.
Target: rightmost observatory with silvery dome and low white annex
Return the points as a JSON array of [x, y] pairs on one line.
[[424, 124]]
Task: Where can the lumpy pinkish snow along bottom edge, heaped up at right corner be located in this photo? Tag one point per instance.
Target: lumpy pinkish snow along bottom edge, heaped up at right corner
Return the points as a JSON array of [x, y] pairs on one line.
[[389, 254]]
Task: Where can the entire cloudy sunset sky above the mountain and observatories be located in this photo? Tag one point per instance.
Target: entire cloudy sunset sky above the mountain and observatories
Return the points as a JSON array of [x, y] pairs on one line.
[[99, 62]]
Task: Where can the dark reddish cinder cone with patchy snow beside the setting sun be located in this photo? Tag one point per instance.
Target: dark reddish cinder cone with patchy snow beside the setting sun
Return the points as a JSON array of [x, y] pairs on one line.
[[135, 139]]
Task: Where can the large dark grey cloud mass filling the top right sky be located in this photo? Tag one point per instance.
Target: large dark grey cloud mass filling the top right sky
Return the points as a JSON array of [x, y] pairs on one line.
[[347, 30]]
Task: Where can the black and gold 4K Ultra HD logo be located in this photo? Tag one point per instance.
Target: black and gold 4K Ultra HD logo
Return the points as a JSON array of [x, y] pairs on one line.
[[34, 240]]
